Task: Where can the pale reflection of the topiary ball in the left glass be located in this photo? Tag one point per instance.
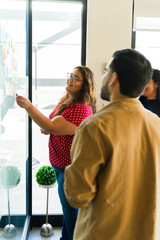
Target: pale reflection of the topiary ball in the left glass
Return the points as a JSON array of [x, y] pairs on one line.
[[9, 176]]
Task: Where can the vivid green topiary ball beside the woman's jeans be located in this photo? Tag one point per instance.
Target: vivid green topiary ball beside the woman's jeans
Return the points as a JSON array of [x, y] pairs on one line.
[[46, 175]]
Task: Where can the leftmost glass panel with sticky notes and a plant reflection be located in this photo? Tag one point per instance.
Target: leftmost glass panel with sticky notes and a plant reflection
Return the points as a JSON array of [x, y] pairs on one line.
[[13, 120]]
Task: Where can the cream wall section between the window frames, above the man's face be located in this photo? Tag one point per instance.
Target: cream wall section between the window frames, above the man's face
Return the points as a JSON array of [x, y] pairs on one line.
[[109, 29]]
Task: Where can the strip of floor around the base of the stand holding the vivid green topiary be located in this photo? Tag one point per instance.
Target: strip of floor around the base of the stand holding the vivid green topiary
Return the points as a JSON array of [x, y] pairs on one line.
[[35, 234]]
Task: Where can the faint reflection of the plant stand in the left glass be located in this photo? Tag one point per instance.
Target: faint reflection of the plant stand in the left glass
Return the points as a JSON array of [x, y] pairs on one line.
[[9, 229]]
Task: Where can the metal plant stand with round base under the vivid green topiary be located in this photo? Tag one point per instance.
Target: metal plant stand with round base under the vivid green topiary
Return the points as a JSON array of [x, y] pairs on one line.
[[47, 229]]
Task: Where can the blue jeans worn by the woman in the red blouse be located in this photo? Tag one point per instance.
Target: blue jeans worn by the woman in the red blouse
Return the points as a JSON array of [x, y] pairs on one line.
[[69, 213]]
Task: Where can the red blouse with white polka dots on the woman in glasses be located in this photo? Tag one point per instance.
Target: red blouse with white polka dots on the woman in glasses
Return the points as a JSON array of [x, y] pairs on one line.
[[60, 145]]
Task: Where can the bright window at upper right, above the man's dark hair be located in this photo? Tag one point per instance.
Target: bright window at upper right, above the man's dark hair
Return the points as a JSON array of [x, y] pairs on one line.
[[147, 29]]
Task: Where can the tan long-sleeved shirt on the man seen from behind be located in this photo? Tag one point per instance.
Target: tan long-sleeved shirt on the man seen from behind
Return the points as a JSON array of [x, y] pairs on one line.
[[114, 177]]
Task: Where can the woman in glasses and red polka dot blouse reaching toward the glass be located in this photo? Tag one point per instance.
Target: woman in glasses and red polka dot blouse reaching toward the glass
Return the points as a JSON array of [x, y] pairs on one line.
[[78, 104]]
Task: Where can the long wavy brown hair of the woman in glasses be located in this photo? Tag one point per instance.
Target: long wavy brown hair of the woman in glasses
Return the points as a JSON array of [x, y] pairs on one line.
[[87, 93]]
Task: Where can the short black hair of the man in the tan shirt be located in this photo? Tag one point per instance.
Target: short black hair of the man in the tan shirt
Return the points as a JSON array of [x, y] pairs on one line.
[[134, 71]]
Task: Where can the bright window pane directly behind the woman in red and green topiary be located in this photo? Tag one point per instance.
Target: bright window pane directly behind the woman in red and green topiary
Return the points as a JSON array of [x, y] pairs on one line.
[[56, 49]]
